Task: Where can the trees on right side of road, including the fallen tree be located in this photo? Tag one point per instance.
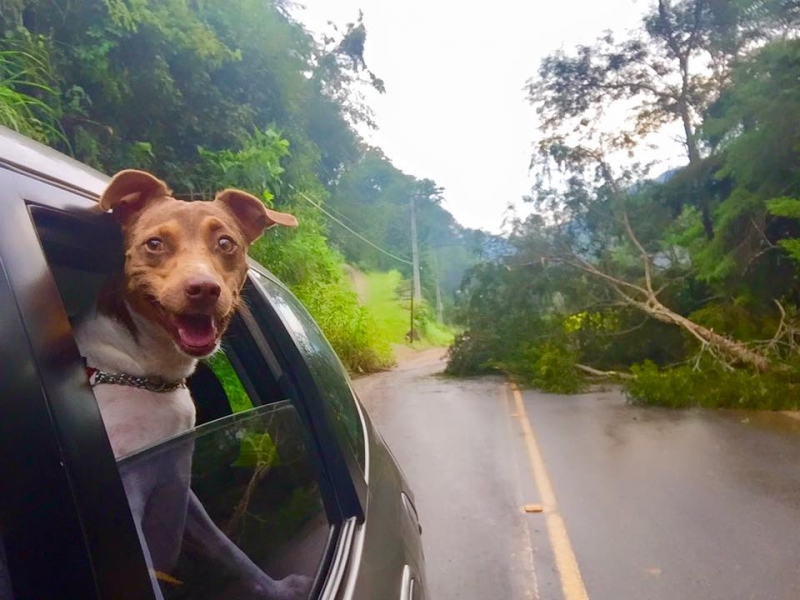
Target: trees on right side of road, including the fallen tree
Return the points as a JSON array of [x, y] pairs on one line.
[[693, 276]]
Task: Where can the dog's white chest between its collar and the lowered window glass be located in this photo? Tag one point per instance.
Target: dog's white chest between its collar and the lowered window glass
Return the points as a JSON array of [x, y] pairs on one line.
[[135, 418]]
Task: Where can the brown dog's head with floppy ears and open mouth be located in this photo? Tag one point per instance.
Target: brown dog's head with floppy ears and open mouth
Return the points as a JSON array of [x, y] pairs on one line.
[[185, 262]]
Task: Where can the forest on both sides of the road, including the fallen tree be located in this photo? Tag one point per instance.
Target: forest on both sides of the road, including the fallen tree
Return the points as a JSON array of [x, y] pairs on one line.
[[680, 284]]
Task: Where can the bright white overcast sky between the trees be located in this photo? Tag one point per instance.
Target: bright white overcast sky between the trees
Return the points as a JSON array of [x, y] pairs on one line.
[[454, 109]]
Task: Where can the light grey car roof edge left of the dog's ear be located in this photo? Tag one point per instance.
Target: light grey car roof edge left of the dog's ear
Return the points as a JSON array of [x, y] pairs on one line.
[[22, 153]]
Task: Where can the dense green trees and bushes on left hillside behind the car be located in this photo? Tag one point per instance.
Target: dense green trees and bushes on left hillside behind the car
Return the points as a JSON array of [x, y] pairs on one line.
[[210, 95]]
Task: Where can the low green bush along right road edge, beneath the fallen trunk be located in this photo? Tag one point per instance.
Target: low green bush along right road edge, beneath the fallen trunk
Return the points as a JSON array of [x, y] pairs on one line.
[[709, 385]]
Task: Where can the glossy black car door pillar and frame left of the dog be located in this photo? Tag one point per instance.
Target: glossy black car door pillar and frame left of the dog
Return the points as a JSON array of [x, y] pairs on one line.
[[72, 457]]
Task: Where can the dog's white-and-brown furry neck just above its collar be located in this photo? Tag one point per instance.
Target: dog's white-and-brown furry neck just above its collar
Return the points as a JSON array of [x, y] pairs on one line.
[[126, 342]]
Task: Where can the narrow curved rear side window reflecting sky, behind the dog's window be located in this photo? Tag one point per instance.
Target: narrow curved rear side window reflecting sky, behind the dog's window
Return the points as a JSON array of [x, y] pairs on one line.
[[326, 368]]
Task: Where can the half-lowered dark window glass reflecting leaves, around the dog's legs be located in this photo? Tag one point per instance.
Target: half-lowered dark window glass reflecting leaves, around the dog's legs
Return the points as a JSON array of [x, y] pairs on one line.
[[254, 478]]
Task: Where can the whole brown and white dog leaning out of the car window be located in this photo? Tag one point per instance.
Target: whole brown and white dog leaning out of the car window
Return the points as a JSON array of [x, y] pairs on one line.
[[184, 270]]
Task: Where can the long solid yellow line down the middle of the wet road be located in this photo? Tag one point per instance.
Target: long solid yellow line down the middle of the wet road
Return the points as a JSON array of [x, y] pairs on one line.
[[571, 581]]
